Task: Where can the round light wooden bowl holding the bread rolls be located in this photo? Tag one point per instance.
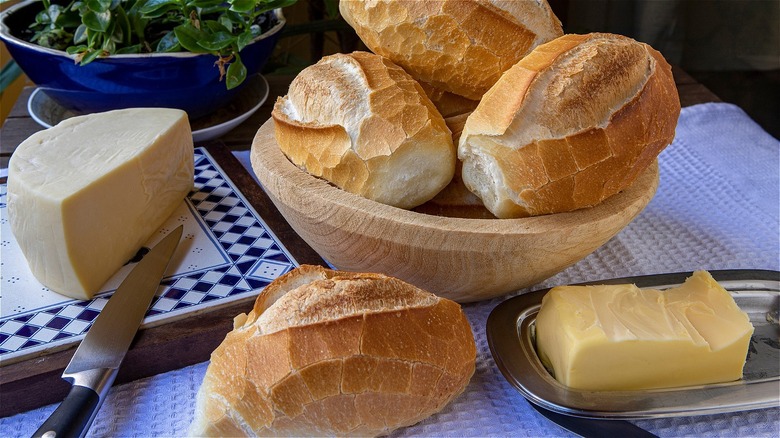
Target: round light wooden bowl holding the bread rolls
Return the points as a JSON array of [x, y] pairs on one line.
[[457, 258]]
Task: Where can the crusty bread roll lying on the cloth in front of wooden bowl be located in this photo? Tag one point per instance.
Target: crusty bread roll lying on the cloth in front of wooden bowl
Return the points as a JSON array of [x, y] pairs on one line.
[[329, 353]]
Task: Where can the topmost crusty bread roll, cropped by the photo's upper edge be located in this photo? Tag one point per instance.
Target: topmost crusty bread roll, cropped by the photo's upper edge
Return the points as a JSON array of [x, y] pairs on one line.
[[461, 46]]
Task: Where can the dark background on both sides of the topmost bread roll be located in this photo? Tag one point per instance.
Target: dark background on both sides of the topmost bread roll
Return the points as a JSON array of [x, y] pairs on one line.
[[730, 46]]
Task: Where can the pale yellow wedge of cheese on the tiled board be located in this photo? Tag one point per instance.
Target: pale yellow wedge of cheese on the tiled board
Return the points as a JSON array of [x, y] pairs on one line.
[[86, 194]]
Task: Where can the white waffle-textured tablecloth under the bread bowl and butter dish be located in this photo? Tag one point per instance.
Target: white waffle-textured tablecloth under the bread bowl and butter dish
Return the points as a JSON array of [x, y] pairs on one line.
[[717, 207]]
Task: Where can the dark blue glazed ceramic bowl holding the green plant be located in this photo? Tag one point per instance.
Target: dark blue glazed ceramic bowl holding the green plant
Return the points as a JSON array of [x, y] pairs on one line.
[[178, 80]]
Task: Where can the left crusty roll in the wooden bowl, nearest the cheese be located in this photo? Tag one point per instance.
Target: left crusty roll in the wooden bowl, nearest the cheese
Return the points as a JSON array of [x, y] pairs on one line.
[[362, 123]]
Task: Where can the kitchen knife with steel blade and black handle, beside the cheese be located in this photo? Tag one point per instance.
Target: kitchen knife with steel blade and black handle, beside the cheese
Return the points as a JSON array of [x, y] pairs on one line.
[[96, 361]]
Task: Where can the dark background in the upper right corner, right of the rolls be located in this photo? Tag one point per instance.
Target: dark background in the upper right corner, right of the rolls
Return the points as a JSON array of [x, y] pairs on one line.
[[730, 46]]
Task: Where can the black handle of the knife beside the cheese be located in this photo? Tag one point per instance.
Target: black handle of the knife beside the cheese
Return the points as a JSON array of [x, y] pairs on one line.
[[73, 416]]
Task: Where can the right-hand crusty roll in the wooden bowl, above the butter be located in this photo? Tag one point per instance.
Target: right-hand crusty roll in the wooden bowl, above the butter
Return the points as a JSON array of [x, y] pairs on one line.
[[571, 124]]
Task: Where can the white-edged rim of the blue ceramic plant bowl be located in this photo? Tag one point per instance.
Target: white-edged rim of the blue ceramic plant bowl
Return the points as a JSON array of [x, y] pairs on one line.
[[6, 36]]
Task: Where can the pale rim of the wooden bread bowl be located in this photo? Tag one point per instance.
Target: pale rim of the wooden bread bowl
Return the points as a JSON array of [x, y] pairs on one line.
[[647, 181]]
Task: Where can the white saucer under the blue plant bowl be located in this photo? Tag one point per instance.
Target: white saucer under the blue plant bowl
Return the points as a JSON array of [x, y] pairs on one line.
[[47, 113]]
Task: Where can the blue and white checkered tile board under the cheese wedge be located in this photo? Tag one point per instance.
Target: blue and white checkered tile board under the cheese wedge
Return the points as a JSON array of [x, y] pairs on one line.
[[227, 253]]
